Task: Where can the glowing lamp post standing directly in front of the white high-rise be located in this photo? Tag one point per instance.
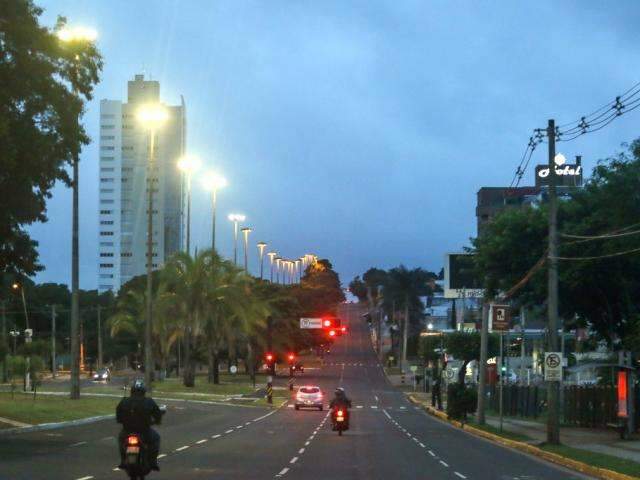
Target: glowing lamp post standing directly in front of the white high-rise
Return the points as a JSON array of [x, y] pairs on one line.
[[151, 117]]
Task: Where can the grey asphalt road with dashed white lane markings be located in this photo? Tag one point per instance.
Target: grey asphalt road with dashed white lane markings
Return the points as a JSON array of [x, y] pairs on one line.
[[389, 438]]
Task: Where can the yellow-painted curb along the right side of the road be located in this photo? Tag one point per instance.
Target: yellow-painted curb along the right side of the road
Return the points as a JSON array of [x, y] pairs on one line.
[[597, 472]]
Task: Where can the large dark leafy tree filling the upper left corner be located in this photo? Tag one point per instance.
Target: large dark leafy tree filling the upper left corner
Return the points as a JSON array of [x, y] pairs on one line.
[[44, 86]]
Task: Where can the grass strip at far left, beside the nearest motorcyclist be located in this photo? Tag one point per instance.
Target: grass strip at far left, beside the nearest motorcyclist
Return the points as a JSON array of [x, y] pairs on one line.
[[45, 409]]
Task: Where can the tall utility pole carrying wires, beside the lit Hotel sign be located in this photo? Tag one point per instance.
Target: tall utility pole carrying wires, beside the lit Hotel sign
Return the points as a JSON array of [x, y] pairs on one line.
[[553, 387]]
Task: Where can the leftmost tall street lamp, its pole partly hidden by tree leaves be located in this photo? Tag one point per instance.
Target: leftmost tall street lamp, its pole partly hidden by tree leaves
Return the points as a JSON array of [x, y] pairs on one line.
[[75, 37]]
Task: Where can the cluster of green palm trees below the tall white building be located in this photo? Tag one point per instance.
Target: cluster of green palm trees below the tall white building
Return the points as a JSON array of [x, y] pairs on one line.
[[206, 303]]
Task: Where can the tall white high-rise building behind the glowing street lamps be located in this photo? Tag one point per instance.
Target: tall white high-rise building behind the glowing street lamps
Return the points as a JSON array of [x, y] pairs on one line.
[[124, 147]]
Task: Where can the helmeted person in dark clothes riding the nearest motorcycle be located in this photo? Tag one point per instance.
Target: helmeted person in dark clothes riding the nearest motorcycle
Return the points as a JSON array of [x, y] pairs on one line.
[[136, 414]]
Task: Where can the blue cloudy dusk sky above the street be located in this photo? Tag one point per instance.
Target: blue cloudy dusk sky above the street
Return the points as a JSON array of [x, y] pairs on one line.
[[357, 130]]
